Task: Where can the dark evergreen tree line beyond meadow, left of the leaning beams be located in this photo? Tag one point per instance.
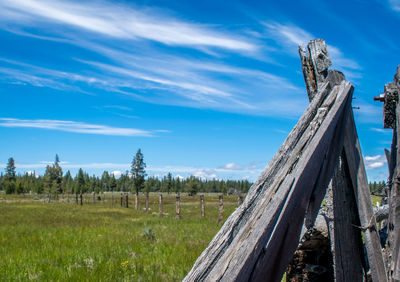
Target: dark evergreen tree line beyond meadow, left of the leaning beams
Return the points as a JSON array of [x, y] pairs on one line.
[[54, 182]]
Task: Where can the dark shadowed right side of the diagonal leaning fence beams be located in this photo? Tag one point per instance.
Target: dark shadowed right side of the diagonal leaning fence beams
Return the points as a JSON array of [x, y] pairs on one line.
[[310, 182]]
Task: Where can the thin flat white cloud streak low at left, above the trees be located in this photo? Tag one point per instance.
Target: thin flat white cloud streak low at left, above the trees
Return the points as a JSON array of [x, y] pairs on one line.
[[73, 126]]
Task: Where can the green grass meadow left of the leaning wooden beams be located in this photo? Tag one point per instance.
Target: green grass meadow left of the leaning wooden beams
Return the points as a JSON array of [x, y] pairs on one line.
[[93, 242]]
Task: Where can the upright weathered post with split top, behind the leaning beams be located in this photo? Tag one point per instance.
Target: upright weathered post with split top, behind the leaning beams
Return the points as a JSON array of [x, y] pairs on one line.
[[342, 214]]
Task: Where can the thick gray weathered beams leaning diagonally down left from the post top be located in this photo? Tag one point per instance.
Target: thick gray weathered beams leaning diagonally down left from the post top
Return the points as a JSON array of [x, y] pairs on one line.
[[302, 167]]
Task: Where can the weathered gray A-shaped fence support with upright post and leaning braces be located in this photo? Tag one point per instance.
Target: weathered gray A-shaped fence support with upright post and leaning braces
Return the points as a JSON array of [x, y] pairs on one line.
[[258, 240]]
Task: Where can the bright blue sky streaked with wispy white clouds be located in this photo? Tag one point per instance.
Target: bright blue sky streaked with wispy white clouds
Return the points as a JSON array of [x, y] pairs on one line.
[[208, 88]]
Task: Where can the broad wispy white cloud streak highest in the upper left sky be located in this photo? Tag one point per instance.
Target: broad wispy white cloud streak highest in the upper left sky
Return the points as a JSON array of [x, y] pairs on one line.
[[123, 22]]
